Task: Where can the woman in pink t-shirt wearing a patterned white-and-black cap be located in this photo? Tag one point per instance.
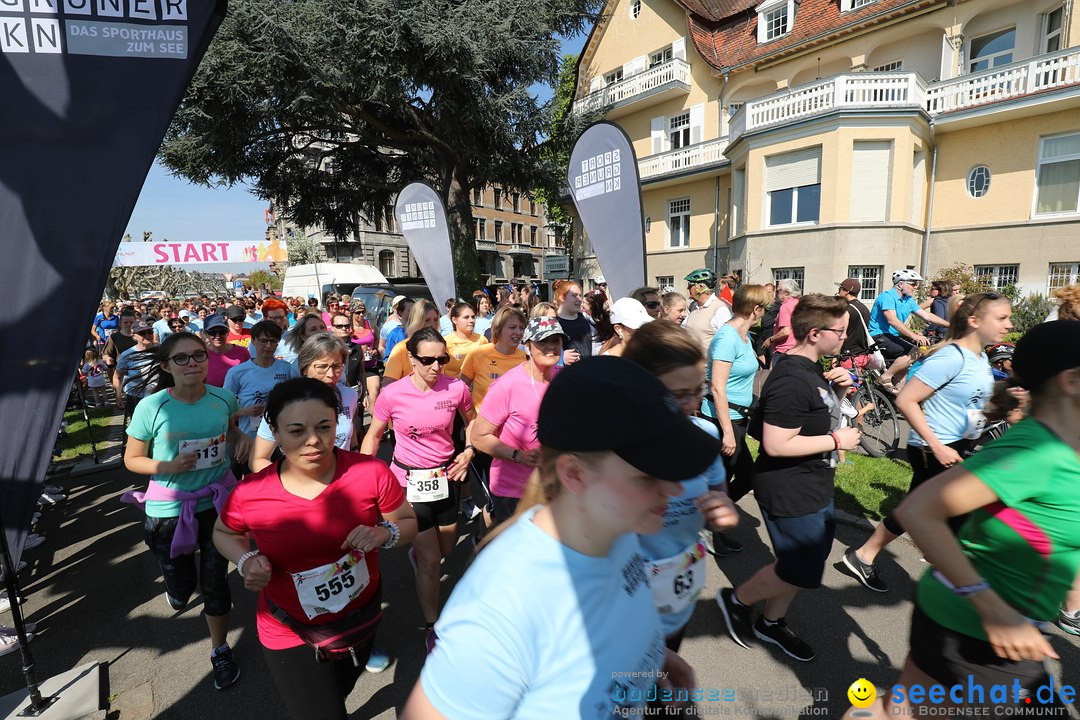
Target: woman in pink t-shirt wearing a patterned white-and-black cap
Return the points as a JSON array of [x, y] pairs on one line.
[[507, 426]]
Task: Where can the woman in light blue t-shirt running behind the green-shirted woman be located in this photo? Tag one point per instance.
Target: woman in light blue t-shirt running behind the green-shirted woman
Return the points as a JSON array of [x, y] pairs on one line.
[[943, 401]]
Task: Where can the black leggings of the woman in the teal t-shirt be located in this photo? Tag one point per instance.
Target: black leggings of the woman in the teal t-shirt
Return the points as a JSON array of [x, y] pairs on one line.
[[180, 573]]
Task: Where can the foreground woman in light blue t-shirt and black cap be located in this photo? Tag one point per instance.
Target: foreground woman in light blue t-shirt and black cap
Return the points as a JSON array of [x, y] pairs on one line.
[[556, 618]]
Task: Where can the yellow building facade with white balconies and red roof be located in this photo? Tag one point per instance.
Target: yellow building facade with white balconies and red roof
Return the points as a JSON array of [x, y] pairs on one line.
[[831, 139]]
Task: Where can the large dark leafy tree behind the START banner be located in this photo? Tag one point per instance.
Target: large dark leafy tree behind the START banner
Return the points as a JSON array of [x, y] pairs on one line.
[[331, 107]]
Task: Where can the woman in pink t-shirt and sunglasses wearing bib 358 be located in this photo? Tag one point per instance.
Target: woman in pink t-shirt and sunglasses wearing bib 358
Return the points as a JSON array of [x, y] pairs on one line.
[[423, 406]]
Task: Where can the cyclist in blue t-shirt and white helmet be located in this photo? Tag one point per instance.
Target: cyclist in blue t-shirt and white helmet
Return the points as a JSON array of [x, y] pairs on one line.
[[888, 325]]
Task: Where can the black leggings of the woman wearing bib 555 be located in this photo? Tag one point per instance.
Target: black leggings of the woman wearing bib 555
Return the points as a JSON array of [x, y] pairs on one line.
[[315, 690]]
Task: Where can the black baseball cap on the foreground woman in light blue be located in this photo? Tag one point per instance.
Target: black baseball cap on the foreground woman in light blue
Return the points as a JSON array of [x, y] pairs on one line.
[[643, 424]]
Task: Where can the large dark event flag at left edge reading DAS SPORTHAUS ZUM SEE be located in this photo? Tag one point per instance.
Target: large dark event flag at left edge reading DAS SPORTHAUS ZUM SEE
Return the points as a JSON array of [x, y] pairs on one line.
[[89, 89]]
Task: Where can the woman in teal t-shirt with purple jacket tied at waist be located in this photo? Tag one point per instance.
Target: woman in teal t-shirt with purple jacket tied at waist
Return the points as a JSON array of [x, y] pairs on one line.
[[181, 438]]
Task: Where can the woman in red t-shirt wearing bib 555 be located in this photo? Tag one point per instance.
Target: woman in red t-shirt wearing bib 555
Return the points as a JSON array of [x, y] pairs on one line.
[[319, 520]]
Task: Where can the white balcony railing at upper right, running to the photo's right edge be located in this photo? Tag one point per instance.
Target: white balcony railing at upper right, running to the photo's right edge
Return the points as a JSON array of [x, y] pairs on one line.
[[1002, 84]]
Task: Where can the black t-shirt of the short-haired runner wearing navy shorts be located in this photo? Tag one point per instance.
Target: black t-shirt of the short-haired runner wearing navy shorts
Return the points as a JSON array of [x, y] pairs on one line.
[[798, 396]]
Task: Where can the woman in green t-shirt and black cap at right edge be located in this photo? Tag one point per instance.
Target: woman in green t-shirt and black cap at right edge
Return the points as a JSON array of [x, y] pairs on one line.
[[980, 608]]
